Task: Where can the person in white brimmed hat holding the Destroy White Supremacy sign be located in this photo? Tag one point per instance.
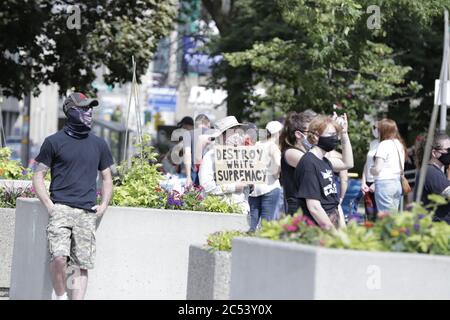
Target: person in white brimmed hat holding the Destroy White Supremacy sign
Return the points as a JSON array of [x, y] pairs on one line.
[[228, 132]]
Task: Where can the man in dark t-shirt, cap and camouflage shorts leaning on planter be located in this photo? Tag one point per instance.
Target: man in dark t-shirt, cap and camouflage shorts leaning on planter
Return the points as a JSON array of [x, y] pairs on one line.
[[74, 156]]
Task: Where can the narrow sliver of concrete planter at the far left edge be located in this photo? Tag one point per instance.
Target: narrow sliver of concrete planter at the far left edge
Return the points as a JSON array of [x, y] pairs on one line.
[[7, 219]]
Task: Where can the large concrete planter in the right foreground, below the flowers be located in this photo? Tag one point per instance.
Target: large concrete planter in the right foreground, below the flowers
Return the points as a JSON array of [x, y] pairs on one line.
[[264, 269]]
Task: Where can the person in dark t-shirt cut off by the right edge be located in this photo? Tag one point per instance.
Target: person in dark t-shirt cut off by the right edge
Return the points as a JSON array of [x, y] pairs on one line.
[[435, 181]]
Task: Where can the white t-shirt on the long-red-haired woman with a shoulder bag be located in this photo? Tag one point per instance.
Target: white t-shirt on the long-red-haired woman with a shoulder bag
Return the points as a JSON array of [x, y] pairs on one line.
[[389, 151]]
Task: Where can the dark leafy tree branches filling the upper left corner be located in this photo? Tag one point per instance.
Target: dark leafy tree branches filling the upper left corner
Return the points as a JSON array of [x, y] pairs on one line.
[[40, 46]]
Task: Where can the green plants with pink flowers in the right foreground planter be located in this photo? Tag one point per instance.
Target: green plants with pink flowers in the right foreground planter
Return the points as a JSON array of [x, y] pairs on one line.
[[410, 231]]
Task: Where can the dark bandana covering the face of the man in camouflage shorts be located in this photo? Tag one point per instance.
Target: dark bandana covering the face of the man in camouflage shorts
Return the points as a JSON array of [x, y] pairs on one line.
[[79, 122]]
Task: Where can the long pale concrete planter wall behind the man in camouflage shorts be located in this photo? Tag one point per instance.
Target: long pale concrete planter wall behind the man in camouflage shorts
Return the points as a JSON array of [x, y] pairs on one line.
[[141, 253]]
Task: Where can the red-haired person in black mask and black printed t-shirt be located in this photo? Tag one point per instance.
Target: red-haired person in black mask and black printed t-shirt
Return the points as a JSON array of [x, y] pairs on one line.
[[317, 191]]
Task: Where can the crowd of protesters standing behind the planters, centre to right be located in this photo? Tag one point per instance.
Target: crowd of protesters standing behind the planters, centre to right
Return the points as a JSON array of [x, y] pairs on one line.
[[308, 157]]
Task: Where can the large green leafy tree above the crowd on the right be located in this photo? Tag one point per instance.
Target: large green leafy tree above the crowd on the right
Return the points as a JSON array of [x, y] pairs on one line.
[[320, 53]]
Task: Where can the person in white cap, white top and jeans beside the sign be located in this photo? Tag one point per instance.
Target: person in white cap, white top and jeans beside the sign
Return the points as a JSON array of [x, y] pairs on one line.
[[264, 198]]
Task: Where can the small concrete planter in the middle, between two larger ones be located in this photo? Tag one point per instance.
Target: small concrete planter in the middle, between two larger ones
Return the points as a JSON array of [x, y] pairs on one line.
[[208, 274]]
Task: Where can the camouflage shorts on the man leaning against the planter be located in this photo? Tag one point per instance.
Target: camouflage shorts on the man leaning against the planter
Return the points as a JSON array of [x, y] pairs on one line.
[[71, 233]]
